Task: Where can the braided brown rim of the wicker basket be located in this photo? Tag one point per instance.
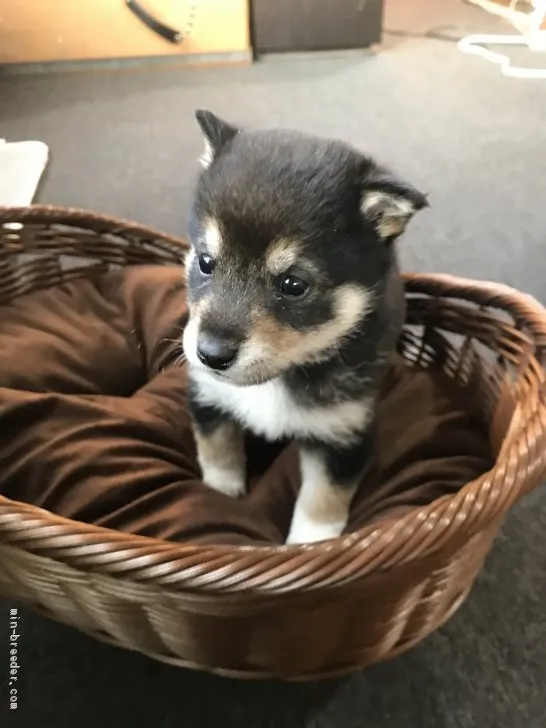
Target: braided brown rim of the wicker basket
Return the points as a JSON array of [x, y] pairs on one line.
[[251, 568]]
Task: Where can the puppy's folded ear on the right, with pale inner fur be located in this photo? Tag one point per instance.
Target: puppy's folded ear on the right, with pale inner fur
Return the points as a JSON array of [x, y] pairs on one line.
[[389, 205]]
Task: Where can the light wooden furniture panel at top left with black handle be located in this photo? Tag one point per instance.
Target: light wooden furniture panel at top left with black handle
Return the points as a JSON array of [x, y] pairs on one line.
[[72, 30]]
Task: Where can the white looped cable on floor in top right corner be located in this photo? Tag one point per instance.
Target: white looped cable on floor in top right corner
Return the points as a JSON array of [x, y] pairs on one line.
[[529, 25]]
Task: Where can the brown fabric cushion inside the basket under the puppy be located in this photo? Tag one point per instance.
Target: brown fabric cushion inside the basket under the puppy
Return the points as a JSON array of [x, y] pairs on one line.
[[95, 425]]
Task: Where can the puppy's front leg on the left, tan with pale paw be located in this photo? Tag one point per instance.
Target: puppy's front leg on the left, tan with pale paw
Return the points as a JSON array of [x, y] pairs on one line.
[[220, 450]]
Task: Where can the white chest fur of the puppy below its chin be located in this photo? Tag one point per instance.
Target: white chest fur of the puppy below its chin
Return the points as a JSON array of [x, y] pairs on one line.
[[269, 410]]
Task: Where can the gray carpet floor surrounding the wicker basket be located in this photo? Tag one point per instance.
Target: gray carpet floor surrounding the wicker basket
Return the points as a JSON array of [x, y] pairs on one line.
[[126, 143]]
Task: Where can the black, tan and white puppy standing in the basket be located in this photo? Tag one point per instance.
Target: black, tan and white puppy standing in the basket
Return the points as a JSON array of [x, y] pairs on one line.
[[296, 306]]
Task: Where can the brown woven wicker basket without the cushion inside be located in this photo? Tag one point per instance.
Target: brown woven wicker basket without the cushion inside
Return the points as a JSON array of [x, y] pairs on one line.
[[294, 611]]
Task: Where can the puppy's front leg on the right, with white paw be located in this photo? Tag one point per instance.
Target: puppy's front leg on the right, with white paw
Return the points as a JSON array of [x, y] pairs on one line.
[[329, 479]]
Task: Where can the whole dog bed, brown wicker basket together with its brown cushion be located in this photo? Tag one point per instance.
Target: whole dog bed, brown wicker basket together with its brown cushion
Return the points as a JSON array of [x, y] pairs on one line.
[[105, 525]]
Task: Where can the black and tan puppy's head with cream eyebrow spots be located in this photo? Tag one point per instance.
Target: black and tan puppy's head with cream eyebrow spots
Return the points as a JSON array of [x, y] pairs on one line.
[[292, 237]]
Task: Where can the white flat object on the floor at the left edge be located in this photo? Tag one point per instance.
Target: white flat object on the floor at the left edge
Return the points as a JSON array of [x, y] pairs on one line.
[[21, 167]]
